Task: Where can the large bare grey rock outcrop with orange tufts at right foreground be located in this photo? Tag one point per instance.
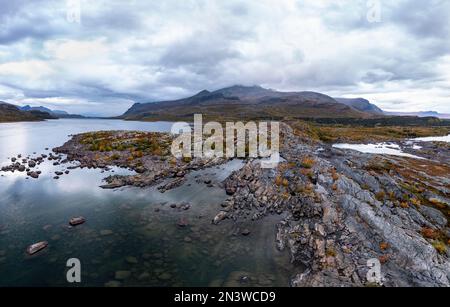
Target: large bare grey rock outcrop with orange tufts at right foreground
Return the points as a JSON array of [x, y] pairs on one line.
[[346, 208]]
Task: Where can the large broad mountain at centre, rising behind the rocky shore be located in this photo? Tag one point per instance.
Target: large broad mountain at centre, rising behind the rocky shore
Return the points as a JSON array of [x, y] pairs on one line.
[[244, 103]]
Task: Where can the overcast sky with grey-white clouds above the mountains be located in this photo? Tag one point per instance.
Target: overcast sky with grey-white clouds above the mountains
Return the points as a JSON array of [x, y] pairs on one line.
[[394, 53]]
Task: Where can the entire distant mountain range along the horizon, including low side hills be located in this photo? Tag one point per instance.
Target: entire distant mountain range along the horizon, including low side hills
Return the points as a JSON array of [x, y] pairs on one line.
[[234, 103]]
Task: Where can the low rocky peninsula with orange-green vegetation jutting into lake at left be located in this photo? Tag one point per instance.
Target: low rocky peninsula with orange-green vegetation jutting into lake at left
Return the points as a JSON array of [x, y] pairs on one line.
[[151, 167]]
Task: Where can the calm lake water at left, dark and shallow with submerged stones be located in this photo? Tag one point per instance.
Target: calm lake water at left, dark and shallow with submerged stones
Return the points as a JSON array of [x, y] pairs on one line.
[[128, 229]]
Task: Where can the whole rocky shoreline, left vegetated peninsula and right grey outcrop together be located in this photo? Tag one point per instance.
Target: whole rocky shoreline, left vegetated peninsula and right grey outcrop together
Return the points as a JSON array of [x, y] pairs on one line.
[[342, 207]]
